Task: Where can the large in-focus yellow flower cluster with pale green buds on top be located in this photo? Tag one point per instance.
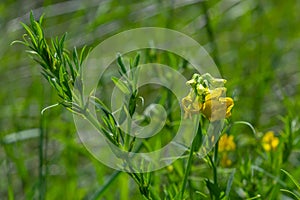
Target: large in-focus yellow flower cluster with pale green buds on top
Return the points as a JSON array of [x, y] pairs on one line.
[[207, 97]]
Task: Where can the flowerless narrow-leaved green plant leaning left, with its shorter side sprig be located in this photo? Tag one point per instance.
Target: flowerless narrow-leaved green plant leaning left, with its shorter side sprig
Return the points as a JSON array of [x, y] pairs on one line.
[[62, 70]]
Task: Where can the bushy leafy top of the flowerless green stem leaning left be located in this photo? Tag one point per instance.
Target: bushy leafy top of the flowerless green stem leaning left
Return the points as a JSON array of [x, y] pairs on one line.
[[59, 68]]
